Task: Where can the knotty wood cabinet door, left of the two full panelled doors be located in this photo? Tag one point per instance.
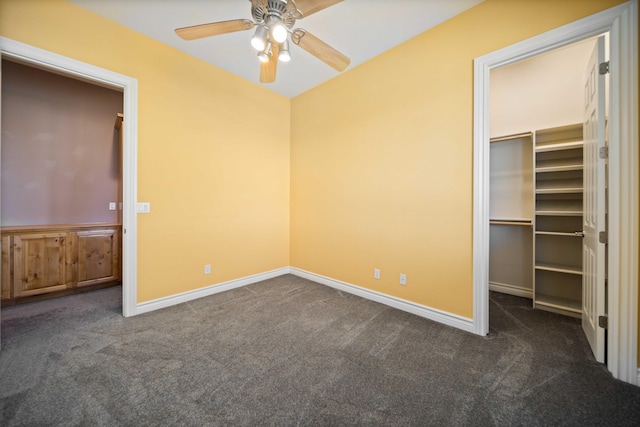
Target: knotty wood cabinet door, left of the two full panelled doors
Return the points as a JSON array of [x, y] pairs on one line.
[[40, 264]]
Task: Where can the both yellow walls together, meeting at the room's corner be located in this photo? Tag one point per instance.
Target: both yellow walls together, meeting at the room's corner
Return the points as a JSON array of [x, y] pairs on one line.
[[380, 157]]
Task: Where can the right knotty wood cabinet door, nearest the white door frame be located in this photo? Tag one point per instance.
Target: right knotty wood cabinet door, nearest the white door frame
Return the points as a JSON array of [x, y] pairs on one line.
[[98, 256]]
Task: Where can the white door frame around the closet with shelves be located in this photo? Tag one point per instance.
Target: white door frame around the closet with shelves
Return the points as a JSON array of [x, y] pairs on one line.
[[621, 22]]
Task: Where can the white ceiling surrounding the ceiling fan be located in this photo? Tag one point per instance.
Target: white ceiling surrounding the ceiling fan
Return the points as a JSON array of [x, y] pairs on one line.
[[360, 29]]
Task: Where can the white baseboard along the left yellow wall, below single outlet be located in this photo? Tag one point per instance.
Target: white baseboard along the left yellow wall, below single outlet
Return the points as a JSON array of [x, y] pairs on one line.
[[169, 301]]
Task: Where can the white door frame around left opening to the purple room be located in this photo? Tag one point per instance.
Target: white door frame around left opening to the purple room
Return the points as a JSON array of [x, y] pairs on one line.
[[69, 67]]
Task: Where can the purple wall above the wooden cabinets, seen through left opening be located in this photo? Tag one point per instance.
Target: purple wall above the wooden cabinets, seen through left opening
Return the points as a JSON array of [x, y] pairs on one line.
[[59, 149]]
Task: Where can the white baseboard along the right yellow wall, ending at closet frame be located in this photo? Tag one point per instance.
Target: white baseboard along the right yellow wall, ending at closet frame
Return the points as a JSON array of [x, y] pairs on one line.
[[439, 316]]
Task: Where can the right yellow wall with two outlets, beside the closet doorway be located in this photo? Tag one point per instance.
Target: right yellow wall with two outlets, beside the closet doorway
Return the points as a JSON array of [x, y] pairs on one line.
[[382, 157]]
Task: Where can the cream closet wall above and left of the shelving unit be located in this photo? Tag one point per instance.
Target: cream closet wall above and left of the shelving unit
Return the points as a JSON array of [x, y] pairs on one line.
[[542, 92]]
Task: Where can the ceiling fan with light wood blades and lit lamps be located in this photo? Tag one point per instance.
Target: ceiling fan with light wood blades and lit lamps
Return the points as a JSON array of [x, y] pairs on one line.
[[274, 20]]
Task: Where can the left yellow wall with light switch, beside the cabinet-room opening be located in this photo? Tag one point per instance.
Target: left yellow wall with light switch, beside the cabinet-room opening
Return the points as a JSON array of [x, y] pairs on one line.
[[213, 150]]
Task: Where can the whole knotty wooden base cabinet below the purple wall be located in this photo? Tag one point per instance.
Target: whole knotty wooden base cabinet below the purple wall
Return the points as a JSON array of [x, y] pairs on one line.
[[58, 259]]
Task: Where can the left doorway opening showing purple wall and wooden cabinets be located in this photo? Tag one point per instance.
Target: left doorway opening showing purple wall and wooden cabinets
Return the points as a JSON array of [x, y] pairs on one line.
[[61, 180]]
